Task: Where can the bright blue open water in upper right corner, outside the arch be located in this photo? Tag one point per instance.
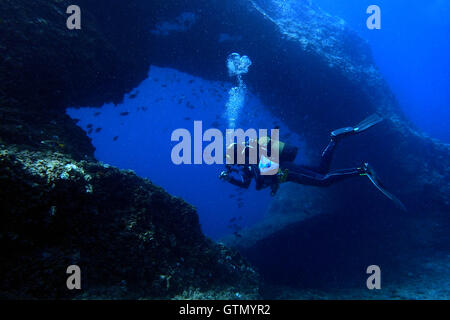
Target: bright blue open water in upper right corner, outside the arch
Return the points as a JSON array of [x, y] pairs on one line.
[[412, 49]]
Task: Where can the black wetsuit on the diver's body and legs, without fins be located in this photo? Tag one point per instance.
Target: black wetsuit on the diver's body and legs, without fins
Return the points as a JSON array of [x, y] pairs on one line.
[[307, 175]]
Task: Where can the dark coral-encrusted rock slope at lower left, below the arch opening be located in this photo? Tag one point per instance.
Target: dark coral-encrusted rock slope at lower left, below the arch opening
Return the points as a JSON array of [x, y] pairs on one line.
[[129, 237]]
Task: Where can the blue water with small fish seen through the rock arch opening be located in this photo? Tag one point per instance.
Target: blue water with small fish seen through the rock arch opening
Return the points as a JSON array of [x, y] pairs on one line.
[[137, 135]]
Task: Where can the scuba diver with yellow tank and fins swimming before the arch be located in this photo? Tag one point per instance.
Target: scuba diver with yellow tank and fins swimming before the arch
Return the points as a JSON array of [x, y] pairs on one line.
[[241, 175]]
